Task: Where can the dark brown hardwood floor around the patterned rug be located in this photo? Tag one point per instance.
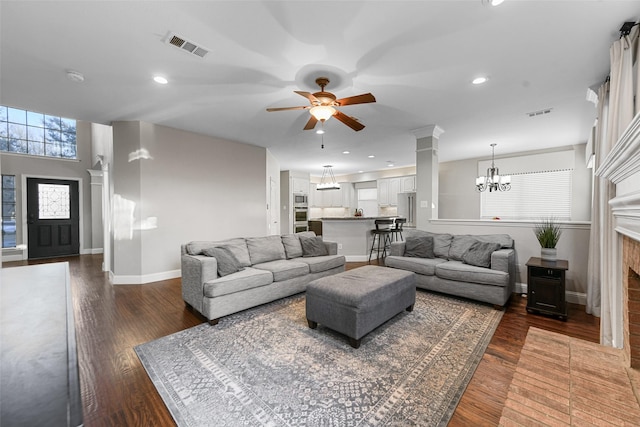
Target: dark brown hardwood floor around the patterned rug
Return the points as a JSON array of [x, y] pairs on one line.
[[116, 391]]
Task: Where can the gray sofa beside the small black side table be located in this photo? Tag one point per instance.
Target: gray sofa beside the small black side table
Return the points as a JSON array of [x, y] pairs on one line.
[[479, 267]]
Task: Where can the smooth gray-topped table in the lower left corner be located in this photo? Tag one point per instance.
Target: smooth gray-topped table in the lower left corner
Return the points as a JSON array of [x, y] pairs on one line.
[[39, 372]]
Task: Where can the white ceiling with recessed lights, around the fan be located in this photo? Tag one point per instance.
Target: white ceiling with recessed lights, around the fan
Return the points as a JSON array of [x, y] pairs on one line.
[[416, 57]]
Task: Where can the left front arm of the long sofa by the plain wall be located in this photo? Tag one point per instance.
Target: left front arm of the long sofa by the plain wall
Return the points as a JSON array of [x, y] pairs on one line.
[[196, 271]]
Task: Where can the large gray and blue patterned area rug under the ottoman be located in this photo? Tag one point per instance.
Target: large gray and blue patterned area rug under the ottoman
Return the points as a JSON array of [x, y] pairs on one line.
[[265, 367]]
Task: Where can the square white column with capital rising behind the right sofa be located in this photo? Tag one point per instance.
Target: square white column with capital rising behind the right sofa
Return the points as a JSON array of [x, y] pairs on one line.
[[427, 174]]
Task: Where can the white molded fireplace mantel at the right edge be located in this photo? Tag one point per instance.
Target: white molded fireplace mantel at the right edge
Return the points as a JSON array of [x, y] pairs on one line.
[[622, 167]]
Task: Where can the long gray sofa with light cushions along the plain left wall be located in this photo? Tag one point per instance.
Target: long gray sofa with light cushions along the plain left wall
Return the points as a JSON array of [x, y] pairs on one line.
[[262, 269]]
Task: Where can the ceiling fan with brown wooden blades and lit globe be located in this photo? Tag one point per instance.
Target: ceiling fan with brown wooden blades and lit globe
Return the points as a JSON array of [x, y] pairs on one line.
[[323, 106]]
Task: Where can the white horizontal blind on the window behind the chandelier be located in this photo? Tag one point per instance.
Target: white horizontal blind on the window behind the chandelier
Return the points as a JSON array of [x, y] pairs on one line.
[[532, 196]]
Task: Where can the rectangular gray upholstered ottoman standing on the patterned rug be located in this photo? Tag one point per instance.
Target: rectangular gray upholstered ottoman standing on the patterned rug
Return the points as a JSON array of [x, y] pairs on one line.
[[357, 301]]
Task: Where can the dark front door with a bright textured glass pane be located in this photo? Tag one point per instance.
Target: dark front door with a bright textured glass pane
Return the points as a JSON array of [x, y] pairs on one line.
[[52, 217]]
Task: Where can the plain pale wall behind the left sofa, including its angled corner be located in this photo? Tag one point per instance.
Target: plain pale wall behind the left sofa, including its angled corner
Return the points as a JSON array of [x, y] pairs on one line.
[[185, 187]]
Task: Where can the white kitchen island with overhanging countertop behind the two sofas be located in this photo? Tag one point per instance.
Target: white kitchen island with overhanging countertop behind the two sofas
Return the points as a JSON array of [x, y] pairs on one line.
[[353, 235]]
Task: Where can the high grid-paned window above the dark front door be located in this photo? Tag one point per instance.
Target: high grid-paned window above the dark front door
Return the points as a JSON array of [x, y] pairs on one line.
[[37, 134]]
